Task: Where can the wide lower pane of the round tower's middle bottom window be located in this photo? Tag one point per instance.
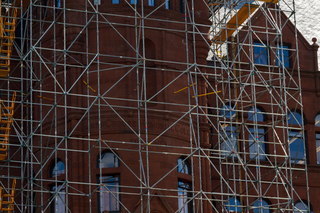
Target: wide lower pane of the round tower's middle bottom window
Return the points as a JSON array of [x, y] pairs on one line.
[[109, 197]]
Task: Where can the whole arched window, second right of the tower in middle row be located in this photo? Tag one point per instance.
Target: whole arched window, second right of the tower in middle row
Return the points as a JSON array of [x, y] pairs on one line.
[[257, 137]]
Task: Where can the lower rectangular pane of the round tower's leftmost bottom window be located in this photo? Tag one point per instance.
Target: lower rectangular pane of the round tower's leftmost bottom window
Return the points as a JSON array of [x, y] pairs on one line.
[[59, 196]]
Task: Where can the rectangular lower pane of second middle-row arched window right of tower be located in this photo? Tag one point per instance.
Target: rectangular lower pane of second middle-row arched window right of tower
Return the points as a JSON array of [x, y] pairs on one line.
[[256, 143]]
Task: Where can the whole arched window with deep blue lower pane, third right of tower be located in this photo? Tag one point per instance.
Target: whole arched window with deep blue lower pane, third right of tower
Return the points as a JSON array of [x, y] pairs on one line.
[[296, 140]]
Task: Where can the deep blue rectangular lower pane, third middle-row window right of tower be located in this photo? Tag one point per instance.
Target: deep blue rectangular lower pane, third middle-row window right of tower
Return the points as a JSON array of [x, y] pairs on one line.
[[296, 144]]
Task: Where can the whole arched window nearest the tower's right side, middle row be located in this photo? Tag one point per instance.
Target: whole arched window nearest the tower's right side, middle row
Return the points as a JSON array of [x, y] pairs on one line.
[[229, 135]]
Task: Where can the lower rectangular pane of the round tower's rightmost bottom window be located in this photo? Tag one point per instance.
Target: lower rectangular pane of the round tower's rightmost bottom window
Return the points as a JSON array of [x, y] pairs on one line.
[[183, 193]]
